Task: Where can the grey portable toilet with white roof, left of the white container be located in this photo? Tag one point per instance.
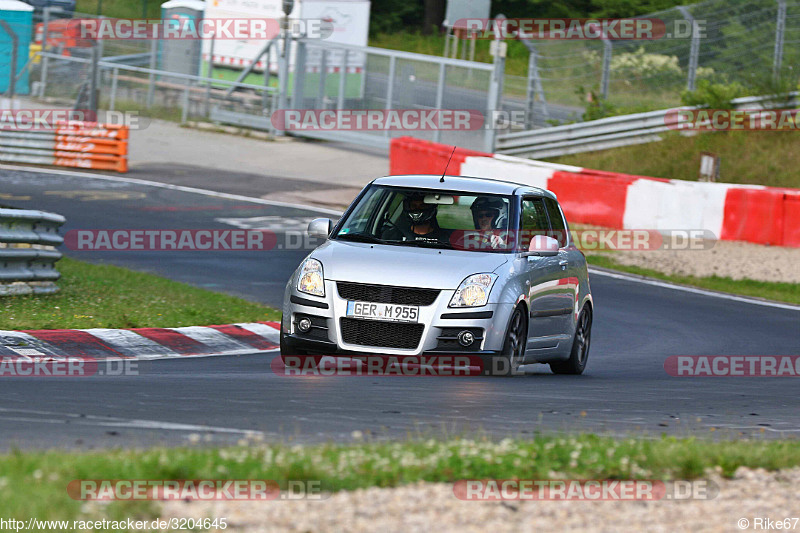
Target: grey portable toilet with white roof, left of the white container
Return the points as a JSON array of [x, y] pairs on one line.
[[181, 55]]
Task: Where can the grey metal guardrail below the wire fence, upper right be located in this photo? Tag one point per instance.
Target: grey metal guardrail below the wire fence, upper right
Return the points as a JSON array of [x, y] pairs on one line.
[[613, 132]]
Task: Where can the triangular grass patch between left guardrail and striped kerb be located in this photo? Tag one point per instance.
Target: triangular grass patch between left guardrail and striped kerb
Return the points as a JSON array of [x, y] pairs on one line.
[[105, 296]]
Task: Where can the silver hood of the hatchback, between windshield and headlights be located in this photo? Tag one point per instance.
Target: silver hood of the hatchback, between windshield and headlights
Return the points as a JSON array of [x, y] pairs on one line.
[[403, 265]]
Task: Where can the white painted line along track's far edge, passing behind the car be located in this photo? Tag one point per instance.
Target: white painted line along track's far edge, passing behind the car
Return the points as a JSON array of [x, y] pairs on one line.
[[237, 197]]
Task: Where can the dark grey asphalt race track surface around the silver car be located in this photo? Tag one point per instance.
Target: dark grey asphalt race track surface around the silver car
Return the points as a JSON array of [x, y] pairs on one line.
[[223, 399]]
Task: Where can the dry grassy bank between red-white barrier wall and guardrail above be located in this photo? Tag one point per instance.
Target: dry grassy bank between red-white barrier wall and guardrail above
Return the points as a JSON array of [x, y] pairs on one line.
[[762, 158]]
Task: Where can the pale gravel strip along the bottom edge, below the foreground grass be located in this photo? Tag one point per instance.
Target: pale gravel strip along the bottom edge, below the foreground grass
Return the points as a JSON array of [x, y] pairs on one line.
[[424, 507]]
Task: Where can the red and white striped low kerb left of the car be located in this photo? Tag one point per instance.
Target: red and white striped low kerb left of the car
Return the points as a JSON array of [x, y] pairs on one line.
[[141, 343]]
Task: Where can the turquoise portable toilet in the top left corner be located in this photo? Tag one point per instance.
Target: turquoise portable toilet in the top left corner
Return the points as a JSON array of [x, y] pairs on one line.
[[18, 17]]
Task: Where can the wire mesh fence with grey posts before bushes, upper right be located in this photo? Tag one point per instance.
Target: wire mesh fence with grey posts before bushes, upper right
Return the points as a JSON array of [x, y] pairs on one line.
[[752, 42]]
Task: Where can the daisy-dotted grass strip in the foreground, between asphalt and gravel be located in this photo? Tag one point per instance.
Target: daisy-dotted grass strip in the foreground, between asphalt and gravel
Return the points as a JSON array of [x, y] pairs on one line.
[[34, 483]]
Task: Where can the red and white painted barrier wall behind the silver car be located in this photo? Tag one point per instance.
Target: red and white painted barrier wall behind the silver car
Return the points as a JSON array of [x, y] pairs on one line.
[[752, 213]]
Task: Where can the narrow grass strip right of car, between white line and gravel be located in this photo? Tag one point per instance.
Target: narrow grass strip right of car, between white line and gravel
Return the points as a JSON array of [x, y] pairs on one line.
[[782, 292]]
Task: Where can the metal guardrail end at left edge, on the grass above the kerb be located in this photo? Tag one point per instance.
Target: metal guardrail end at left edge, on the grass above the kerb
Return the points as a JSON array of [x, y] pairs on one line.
[[28, 254]]
